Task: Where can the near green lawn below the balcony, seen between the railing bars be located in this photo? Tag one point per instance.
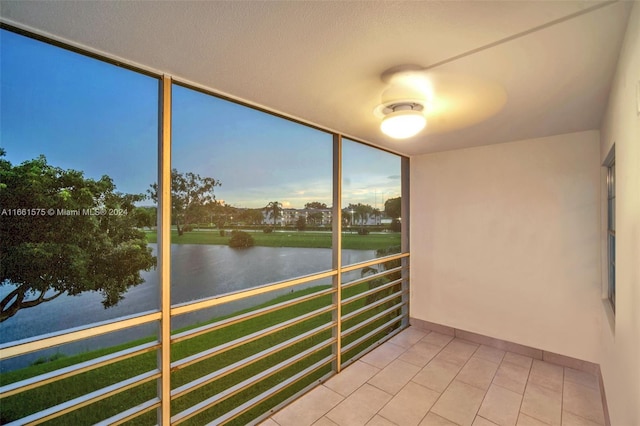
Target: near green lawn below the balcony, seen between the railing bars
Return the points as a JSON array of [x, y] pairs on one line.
[[34, 400]]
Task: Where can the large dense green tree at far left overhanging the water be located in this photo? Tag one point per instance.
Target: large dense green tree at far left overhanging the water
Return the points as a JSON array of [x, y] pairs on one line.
[[63, 233]]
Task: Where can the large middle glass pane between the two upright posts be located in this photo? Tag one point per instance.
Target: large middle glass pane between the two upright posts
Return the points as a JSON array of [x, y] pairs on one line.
[[251, 199]]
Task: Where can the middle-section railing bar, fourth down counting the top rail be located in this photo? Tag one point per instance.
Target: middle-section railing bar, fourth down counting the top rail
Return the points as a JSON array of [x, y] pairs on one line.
[[195, 384]]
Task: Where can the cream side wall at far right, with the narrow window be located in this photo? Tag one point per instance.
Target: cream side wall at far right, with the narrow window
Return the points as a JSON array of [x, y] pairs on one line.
[[620, 362]]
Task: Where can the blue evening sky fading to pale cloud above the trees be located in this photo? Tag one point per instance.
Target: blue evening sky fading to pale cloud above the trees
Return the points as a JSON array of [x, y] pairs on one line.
[[87, 115]]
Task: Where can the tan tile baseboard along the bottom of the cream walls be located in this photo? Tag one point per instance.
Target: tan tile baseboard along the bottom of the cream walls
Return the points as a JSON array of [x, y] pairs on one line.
[[554, 358]]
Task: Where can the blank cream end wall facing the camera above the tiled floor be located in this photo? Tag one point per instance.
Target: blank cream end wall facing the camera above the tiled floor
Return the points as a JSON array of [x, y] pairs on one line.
[[505, 241]]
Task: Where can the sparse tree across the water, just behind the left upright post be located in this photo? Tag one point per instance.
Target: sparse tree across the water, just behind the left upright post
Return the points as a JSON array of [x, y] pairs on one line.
[[191, 195]]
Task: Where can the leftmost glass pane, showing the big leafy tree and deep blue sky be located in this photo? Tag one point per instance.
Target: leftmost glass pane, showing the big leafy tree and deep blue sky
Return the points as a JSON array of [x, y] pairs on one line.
[[79, 138]]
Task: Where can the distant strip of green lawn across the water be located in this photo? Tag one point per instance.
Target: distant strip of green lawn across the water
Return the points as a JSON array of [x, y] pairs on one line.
[[288, 239]]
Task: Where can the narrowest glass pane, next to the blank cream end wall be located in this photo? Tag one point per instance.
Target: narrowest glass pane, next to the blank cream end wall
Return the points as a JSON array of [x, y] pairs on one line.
[[371, 189]]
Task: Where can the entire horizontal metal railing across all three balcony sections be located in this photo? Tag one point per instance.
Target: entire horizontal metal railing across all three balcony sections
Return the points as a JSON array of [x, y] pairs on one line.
[[37, 343]]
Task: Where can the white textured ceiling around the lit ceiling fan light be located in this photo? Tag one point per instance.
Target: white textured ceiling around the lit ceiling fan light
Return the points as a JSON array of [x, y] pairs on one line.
[[321, 62]]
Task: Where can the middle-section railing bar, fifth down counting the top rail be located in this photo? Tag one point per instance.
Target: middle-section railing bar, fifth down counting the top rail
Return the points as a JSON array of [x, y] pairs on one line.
[[233, 390]]
